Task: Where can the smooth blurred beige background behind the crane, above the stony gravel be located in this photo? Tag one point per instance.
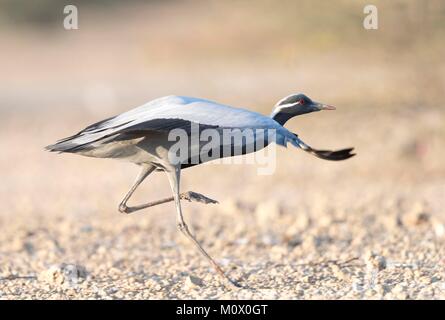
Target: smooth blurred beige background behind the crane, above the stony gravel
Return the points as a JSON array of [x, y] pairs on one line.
[[387, 84]]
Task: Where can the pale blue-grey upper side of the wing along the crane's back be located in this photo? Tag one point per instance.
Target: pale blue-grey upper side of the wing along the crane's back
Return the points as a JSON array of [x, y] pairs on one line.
[[163, 115]]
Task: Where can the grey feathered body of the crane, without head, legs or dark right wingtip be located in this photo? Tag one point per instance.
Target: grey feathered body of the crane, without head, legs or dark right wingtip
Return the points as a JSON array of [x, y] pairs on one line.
[[139, 134]]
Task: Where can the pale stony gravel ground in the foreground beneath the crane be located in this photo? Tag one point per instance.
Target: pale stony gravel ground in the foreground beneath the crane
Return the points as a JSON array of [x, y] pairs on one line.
[[275, 252]]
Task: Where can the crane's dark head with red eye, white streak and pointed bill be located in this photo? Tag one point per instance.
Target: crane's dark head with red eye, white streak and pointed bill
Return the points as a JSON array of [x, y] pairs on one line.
[[295, 105]]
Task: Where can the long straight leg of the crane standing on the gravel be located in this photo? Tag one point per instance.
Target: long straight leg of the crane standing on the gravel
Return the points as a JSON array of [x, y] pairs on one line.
[[174, 179]]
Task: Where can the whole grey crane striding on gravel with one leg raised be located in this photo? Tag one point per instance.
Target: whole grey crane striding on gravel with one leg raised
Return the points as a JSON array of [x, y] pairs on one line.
[[141, 136]]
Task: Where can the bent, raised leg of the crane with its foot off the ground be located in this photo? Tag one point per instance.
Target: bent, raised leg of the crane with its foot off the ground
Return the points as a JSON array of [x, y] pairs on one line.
[[146, 170]]
